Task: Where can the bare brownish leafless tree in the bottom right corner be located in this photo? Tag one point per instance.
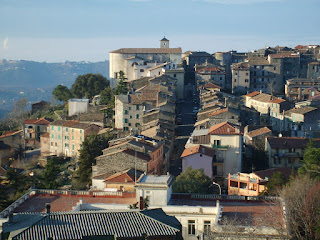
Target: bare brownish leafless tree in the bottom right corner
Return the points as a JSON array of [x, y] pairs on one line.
[[302, 199]]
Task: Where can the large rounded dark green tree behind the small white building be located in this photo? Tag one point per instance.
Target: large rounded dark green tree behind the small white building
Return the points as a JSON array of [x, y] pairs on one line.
[[89, 85]]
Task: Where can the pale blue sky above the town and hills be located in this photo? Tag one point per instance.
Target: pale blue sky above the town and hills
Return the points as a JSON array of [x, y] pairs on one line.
[[86, 30]]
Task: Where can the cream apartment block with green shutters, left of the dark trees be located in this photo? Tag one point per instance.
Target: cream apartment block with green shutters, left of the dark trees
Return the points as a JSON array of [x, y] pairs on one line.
[[66, 137]]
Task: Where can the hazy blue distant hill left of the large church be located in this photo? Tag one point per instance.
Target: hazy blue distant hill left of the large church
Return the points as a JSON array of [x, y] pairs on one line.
[[35, 81]]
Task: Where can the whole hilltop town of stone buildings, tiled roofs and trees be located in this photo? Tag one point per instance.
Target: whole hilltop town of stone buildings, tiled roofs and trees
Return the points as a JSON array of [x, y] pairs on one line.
[[171, 145]]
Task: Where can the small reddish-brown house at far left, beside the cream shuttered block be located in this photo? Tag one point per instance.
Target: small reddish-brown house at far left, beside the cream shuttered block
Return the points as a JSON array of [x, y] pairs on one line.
[[33, 128]]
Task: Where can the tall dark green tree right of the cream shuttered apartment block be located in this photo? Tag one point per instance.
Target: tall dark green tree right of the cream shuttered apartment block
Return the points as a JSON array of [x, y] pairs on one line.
[[91, 148]]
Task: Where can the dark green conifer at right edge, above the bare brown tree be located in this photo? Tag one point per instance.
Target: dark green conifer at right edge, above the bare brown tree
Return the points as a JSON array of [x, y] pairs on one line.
[[311, 162]]
